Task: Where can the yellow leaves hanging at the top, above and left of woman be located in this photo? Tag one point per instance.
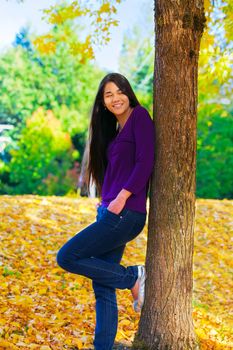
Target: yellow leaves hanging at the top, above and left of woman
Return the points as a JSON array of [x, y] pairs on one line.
[[99, 20]]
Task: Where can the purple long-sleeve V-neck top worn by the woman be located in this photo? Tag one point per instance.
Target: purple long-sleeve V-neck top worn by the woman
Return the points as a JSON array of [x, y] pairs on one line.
[[130, 157]]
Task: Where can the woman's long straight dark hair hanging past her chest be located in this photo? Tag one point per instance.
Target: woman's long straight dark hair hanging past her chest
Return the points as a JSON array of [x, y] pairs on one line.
[[102, 129]]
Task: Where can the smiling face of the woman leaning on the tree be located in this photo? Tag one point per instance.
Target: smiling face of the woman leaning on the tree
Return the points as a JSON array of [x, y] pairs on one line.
[[115, 101]]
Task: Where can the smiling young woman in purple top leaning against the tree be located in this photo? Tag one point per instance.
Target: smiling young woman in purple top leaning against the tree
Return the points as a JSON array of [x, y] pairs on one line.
[[121, 160]]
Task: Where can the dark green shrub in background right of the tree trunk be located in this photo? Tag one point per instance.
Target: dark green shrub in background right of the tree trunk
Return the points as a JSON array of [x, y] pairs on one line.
[[215, 153]]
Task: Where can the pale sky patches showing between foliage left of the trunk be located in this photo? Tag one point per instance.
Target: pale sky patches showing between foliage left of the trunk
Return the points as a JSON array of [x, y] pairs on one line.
[[14, 15]]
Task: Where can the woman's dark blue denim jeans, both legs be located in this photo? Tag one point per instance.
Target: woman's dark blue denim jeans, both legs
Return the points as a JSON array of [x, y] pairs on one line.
[[96, 252]]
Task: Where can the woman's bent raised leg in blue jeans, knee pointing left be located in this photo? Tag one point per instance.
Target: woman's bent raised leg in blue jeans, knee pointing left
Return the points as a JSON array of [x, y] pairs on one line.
[[112, 231]]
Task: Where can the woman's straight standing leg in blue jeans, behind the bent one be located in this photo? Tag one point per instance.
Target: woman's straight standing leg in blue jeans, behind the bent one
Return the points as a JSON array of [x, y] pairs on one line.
[[106, 306]]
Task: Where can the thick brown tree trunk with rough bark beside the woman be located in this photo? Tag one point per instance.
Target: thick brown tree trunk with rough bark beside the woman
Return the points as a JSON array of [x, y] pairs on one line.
[[166, 319]]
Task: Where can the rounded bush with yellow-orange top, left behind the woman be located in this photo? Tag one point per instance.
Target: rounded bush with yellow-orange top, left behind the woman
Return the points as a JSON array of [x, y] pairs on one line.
[[42, 162]]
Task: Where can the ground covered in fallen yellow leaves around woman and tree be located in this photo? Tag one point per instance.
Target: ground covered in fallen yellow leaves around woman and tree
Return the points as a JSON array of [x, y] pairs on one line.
[[43, 307]]
